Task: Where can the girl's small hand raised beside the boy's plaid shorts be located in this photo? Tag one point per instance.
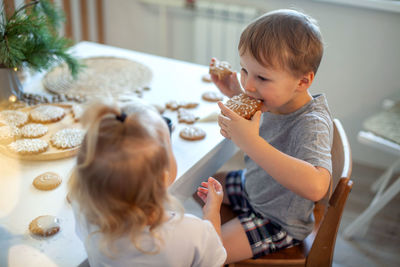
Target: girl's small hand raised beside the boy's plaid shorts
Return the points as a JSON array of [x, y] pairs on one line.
[[212, 194]]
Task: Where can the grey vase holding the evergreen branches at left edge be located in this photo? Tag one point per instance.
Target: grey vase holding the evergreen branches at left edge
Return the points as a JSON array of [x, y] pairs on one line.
[[10, 87]]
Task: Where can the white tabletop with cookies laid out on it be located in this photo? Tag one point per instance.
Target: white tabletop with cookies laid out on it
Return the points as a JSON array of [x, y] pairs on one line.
[[20, 202]]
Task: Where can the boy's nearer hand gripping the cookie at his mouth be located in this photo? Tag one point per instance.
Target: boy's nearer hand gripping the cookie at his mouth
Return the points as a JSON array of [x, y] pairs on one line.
[[236, 128]]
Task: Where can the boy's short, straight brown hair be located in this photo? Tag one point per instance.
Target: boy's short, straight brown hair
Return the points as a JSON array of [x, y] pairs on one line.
[[284, 39]]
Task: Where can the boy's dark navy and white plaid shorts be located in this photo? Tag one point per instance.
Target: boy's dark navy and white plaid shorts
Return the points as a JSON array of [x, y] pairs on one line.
[[264, 236]]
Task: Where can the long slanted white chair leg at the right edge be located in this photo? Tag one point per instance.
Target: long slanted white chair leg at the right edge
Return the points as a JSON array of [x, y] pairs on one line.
[[373, 208]]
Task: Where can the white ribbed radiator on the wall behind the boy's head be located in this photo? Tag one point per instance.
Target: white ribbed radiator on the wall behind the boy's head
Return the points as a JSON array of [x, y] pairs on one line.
[[217, 28]]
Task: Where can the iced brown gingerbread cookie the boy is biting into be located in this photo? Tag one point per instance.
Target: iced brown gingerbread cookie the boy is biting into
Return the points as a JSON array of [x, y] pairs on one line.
[[244, 105]]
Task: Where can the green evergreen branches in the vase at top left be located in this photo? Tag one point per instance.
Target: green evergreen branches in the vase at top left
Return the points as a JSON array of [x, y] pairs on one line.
[[29, 37]]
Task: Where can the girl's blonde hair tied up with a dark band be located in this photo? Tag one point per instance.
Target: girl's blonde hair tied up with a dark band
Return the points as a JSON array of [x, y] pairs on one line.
[[119, 180]]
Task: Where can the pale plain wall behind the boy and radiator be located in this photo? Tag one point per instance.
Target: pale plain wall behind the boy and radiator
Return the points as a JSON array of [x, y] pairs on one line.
[[361, 64]]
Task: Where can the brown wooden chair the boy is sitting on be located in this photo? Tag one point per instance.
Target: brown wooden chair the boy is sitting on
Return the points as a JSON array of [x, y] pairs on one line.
[[317, 249]]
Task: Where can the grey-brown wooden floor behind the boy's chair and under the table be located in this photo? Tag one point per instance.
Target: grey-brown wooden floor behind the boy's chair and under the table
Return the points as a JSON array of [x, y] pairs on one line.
[[380, 246]]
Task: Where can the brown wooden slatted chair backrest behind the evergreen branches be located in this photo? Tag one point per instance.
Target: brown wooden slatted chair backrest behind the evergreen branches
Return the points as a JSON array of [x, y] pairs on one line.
[[83, 18]]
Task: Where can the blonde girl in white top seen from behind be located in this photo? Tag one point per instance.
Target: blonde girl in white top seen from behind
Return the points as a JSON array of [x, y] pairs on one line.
[[118, 191]]
